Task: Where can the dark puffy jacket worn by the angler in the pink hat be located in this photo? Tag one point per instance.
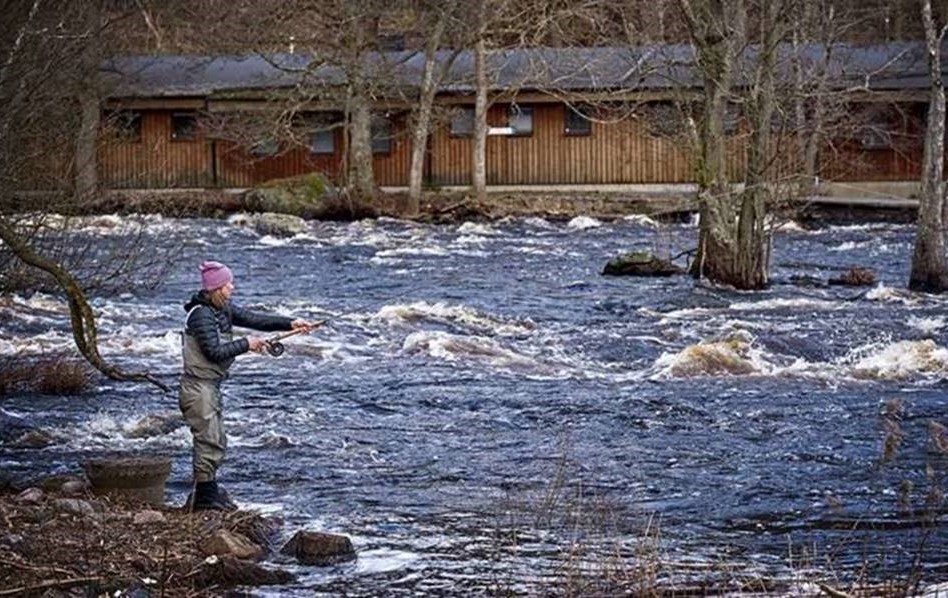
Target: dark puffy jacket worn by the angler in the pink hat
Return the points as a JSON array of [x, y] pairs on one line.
[[207, 323]]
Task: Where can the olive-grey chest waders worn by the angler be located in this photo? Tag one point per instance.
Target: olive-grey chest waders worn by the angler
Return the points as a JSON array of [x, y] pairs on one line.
[[200, 401]]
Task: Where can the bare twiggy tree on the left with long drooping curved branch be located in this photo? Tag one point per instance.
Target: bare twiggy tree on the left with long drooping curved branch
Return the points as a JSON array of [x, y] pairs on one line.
[[45, 47]]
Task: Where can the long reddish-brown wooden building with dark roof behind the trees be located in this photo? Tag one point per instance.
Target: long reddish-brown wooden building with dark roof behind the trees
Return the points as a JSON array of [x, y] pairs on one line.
[[558, 117]]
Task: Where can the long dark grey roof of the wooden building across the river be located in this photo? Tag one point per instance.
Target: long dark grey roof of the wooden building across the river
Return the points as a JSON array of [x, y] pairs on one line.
[[881, 67]]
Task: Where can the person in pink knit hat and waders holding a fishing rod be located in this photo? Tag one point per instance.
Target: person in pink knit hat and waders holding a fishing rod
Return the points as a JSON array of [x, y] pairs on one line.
[[208, 351]]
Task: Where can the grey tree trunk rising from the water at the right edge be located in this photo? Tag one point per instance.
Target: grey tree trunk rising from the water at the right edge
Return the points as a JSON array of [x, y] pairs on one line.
[[929, 270]]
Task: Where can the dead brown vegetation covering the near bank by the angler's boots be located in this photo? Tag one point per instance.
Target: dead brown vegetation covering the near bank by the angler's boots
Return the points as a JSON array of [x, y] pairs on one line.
[[101, 546]]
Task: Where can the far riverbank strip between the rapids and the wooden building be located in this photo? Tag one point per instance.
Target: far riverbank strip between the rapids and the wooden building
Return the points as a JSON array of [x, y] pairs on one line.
[[453, 206]]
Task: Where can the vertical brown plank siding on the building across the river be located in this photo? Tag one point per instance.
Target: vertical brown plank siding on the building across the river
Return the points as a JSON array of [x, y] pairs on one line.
[[616, 152]]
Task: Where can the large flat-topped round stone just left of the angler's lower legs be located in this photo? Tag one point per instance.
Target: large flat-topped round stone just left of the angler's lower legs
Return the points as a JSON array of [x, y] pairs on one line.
[[136, 478]]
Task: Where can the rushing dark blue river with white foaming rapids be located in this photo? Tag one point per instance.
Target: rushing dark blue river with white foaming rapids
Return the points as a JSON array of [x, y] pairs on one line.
[[485, 412]]
